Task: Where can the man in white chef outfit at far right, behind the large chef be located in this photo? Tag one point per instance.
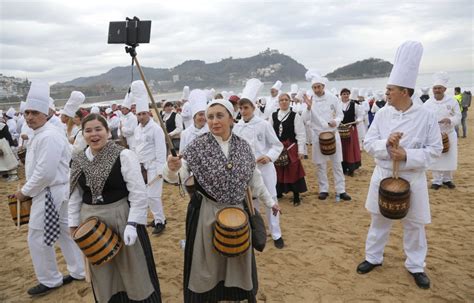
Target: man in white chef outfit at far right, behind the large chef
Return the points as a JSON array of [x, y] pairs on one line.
[[447, 111]]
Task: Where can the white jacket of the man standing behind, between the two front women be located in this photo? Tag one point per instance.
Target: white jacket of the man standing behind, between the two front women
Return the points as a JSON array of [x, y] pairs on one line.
[[150, 146]]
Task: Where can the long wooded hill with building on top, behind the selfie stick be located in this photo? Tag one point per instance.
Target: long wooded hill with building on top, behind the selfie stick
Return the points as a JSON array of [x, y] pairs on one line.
[[269, 65]]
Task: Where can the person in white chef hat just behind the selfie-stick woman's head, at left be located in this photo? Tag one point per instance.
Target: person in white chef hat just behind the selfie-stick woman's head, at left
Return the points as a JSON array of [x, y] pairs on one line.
[[197, 104]]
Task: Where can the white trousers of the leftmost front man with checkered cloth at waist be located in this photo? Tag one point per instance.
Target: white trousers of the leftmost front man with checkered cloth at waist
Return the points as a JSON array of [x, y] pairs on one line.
[[44, 257]]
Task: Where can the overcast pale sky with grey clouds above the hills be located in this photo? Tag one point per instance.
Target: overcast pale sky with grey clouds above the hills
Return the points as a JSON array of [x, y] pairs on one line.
[[63, 40]]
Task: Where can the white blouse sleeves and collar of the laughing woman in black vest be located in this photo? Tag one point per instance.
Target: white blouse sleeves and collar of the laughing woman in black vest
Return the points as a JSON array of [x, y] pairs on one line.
[[136, 187]]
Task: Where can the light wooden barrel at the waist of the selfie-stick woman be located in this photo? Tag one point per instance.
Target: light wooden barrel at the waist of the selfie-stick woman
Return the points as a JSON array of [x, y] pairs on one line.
[[231, 232]]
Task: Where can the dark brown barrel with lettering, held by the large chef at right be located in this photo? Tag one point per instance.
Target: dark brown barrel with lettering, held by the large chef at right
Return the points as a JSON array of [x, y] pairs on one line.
[[394, 197]]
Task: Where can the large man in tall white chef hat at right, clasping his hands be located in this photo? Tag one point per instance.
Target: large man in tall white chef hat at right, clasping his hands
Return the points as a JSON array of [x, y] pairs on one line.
[[408, 133]]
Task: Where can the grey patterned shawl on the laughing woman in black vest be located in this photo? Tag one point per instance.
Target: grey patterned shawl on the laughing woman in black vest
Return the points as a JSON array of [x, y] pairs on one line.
[[96, 171]]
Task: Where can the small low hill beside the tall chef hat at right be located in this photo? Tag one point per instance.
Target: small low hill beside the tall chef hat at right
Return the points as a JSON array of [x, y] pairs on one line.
[[368, 68]]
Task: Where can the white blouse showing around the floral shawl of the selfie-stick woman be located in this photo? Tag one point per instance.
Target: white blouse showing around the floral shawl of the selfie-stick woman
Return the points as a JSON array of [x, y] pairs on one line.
[[256, 183]]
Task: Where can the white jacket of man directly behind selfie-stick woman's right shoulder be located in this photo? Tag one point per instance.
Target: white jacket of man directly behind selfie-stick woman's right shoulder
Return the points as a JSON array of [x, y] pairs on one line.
[[260, 136]]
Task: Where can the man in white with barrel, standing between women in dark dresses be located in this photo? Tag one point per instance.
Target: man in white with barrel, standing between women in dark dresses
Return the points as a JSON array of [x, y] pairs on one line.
[[324, 112]]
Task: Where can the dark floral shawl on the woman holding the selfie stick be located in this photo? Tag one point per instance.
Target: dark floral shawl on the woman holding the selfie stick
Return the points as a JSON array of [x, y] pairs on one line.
[[225, 179]]
